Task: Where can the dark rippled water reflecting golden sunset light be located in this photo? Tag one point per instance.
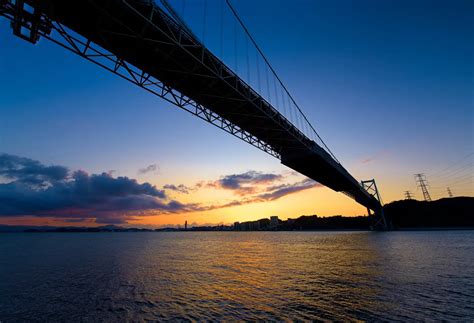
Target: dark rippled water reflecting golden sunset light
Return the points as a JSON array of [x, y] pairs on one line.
[[237, 275]]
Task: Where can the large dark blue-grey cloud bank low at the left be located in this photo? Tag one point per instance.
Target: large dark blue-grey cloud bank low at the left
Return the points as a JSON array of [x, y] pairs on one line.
[[54, 191]]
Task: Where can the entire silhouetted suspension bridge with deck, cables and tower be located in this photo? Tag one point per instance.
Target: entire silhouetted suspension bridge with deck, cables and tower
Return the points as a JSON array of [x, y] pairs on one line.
[[149, 44]]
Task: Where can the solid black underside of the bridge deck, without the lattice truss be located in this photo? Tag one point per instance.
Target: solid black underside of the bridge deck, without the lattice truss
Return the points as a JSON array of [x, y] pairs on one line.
[[144, 36]]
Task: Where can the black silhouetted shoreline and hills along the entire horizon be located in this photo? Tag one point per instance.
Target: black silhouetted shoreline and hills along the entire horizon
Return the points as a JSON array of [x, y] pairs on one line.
[[457, 212]]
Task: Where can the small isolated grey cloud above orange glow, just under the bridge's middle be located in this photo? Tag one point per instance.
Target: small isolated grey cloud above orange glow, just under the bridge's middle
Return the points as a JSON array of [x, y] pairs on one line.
[[245, 183]]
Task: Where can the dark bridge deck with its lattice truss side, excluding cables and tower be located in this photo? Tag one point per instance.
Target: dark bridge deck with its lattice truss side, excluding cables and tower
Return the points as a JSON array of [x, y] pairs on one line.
[[219, 92]]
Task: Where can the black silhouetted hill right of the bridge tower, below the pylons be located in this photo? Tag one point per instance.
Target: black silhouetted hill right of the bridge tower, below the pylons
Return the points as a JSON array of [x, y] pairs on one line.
[[456, 212]]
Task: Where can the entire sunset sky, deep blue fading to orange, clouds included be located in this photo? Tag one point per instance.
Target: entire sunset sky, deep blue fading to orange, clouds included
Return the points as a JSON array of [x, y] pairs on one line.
[[390, 88]]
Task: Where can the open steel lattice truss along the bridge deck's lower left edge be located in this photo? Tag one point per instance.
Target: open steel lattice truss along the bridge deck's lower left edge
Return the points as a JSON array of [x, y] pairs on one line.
[[31, 26]]
